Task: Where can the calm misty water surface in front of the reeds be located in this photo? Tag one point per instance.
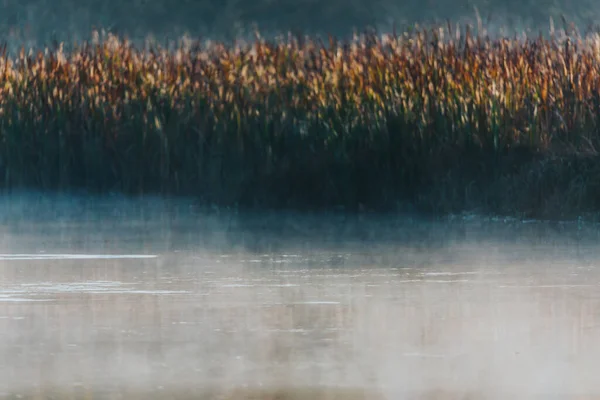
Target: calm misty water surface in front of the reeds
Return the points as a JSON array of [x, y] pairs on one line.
[[119, 299]]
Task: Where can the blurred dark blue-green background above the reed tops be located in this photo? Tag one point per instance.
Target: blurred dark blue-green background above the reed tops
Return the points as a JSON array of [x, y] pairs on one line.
[[39, 21]]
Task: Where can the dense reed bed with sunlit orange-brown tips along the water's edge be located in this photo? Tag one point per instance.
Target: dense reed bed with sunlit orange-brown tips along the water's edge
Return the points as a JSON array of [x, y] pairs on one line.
[[437, 118]]
